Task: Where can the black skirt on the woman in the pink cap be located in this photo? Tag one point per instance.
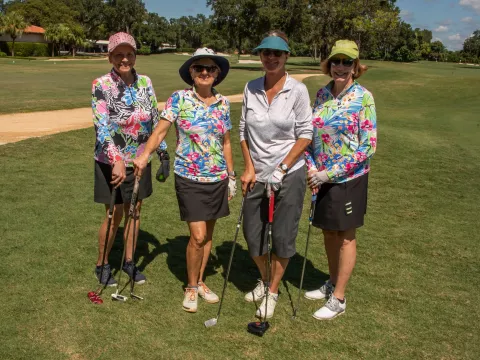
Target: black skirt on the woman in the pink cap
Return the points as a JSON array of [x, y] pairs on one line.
[[103, 188]]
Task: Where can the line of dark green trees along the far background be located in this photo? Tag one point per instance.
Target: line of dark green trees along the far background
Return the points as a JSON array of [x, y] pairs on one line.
[[237, 26]]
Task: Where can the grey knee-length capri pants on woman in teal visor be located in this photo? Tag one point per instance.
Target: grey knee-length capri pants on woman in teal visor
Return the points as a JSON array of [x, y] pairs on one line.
[[286, 216]]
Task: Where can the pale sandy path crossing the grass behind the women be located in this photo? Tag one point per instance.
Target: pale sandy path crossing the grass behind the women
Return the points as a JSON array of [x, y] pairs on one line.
[[21, 126]]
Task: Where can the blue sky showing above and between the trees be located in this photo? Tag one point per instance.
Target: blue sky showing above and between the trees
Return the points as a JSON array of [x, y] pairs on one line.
[[451, 21]]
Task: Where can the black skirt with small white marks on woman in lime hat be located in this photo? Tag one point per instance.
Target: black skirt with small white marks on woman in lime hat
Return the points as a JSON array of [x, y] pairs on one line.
[[341, 206]]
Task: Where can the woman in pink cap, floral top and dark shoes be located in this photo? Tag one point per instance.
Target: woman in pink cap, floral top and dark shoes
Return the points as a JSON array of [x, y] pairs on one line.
[[124, 114]]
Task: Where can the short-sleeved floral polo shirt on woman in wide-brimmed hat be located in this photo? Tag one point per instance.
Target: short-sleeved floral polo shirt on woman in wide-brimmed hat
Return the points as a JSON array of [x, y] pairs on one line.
[[200, 132]]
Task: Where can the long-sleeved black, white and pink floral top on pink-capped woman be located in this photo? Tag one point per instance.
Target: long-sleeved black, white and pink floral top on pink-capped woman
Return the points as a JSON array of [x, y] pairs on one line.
[[123, 116]]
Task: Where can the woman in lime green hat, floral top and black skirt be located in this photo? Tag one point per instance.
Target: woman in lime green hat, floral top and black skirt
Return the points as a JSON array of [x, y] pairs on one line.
[[338, 161]]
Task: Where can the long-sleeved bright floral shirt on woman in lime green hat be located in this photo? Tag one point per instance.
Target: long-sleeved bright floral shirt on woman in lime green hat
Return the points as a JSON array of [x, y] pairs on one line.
[[344, 133]]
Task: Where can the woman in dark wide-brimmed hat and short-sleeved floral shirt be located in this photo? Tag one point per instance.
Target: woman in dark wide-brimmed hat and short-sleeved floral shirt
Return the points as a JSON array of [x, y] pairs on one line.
[[204, 175]]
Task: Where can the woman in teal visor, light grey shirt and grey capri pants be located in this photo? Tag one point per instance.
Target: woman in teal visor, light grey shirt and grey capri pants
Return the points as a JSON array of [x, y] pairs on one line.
[[275, 128]]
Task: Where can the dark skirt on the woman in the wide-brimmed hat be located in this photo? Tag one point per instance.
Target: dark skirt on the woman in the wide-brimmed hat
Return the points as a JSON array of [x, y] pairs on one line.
[[201, 201]]
